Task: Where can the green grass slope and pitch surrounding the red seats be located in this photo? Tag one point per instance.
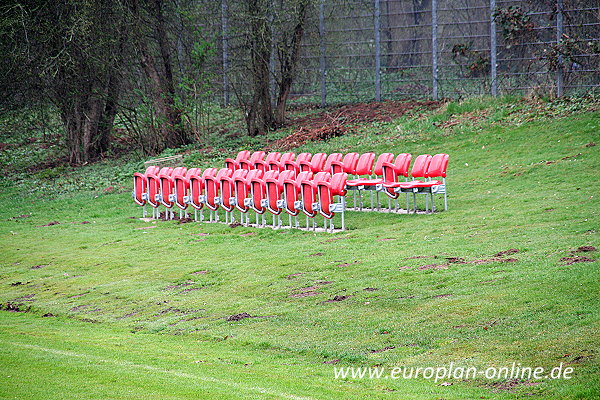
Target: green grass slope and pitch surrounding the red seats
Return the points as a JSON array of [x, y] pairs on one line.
[[125, 309]]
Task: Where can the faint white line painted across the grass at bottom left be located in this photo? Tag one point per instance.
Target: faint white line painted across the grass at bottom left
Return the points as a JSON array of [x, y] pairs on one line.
[[68, 353]]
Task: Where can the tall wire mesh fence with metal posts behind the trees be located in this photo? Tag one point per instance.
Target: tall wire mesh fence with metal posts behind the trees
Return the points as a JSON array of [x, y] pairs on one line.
[[364, 50]]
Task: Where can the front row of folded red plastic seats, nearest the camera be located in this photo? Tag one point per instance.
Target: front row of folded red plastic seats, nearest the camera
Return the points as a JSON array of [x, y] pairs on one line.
[[242, 190]]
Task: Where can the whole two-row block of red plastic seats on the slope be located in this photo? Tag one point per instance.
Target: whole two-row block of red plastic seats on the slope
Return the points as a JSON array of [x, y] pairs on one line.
[[255, 182]]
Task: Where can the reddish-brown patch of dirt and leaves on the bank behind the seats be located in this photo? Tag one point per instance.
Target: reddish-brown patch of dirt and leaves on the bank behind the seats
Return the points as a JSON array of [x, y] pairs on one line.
[[329, 124]]
